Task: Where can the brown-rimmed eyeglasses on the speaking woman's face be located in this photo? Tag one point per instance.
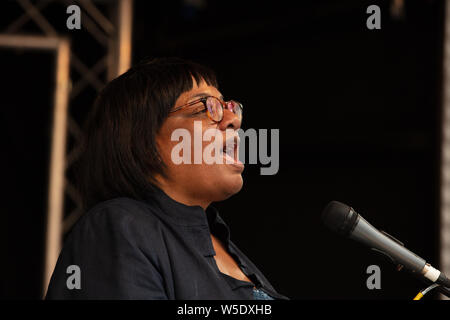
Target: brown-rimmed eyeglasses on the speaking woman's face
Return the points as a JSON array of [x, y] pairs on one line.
[[214, 107]]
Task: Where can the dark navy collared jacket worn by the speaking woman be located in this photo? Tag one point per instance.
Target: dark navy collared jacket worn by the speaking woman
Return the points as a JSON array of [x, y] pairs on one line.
[[152, 249]]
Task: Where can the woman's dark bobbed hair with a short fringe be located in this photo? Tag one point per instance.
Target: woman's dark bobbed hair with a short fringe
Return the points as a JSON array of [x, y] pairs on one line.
[[120, 156]]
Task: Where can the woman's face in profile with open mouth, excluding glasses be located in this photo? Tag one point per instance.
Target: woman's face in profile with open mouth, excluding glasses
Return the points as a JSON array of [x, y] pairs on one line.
[[200, 184]]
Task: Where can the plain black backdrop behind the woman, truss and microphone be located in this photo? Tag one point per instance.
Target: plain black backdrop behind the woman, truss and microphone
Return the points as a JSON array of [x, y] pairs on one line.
[[359, 117]]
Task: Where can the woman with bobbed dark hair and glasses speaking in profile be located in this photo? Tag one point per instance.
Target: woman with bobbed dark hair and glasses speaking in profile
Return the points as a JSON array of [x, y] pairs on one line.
[[150, 231]]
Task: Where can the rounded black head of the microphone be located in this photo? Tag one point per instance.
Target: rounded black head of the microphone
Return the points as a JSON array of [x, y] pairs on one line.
[[340, 218]]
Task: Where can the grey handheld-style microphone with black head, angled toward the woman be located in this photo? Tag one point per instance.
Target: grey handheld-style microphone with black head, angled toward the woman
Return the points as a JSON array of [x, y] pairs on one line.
[[345, 221]]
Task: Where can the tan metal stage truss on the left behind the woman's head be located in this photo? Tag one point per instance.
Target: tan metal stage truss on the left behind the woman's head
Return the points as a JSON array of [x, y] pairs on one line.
[[114, 34]]
